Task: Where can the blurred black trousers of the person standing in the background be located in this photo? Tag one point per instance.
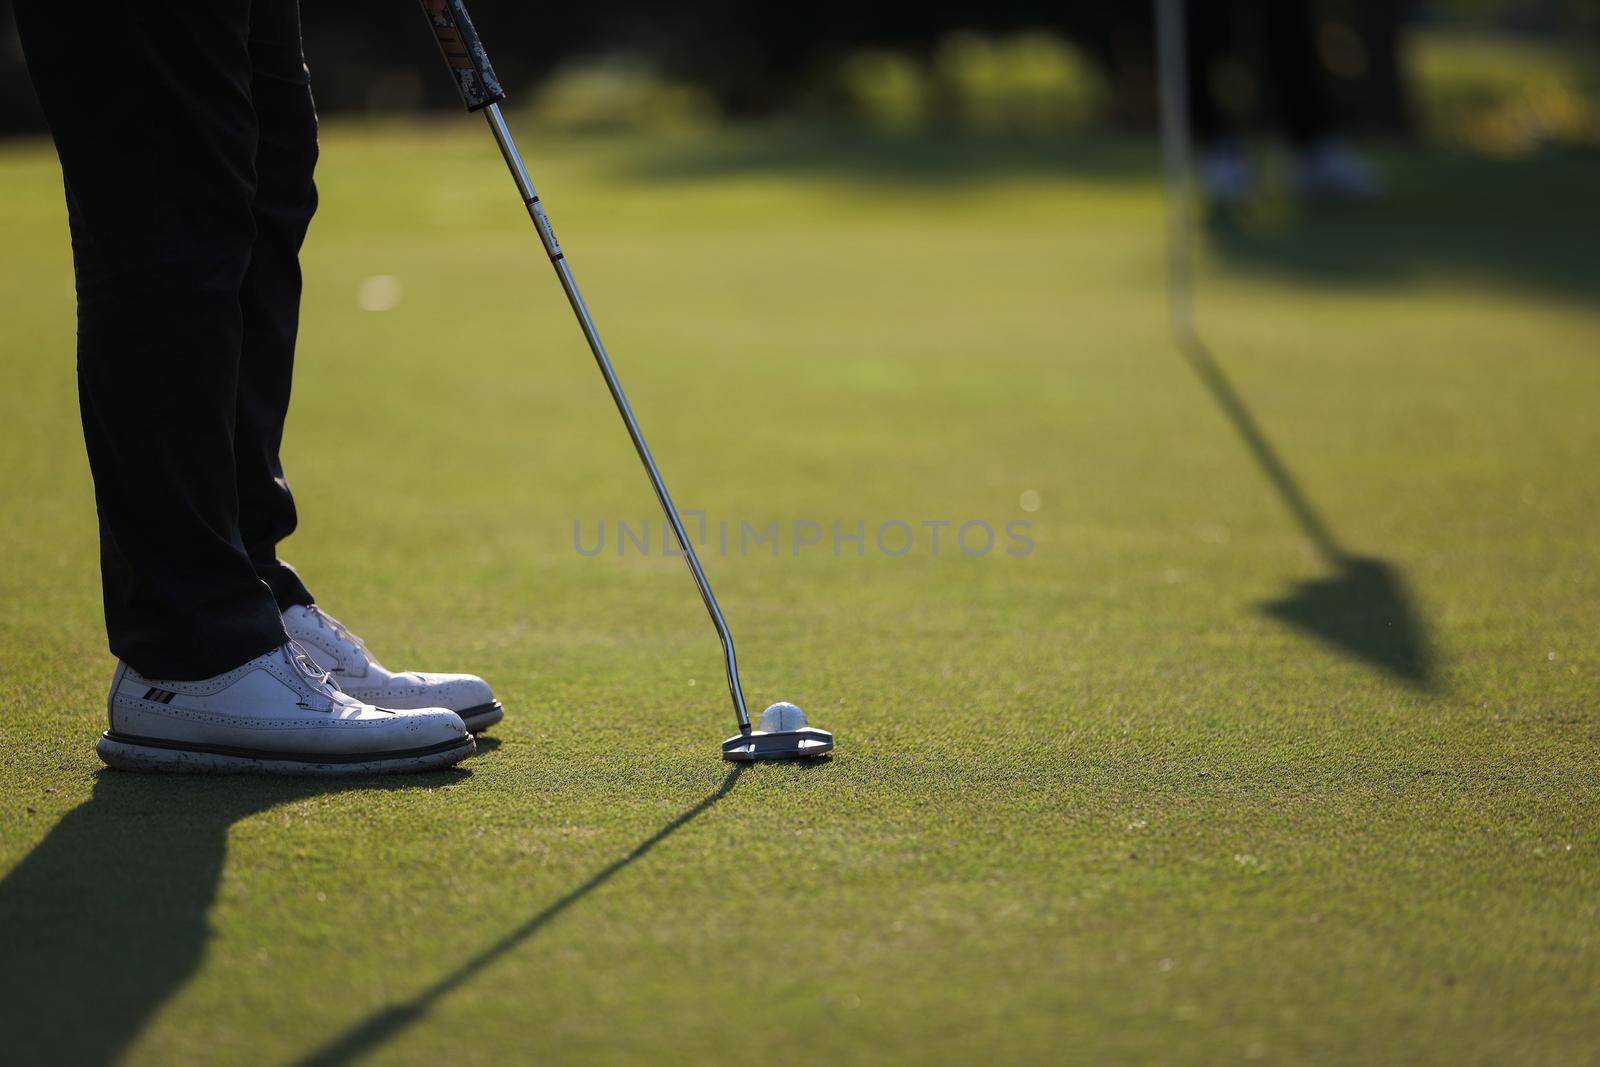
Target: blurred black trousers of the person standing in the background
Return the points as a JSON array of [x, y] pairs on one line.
[[1281, 38]]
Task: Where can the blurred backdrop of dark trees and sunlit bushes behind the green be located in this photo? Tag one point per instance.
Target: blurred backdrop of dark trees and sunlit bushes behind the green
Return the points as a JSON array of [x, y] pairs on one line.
[[1492, 76]]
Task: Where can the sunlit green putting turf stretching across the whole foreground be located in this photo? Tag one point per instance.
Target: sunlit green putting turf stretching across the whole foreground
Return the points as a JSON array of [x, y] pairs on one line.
[[1095, 804]]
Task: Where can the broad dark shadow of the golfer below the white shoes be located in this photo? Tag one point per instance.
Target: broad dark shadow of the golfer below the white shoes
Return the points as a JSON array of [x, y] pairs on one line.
[[108, 917]]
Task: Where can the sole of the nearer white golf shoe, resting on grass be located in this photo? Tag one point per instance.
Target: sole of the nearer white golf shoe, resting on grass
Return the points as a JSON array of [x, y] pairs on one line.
[[175, 757]]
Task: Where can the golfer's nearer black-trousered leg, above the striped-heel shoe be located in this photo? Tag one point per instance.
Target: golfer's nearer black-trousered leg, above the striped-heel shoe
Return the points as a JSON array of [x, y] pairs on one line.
[[150, 106]]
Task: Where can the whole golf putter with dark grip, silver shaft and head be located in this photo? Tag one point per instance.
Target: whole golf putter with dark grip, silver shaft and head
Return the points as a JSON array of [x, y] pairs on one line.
[[482, 92]]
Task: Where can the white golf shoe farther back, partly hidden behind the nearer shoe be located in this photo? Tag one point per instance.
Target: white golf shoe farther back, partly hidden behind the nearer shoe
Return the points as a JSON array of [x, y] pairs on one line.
[[345, 657]]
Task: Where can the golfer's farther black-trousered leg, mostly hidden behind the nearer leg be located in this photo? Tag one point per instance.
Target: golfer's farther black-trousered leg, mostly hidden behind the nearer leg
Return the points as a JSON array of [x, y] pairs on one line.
[[270, 300]]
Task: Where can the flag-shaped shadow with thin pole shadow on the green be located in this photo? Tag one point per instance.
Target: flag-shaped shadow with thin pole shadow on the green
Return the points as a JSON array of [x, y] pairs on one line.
[[1364, 605]]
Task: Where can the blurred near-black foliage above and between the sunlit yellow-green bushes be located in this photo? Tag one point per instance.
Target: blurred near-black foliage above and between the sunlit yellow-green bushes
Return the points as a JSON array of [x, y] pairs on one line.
[[759, 60]]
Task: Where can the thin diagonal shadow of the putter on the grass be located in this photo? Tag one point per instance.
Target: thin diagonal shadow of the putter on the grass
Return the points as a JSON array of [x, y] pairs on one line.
[[377, 1031]]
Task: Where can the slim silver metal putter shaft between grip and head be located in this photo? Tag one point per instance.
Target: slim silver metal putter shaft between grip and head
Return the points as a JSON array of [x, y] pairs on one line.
[[519, 174]]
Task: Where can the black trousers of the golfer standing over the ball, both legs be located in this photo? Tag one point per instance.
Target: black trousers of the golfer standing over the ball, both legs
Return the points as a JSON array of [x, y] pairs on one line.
[[188, 140]]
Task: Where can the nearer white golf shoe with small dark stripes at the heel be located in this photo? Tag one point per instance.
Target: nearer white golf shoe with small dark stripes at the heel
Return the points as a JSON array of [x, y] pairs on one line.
[[276, 714]]
